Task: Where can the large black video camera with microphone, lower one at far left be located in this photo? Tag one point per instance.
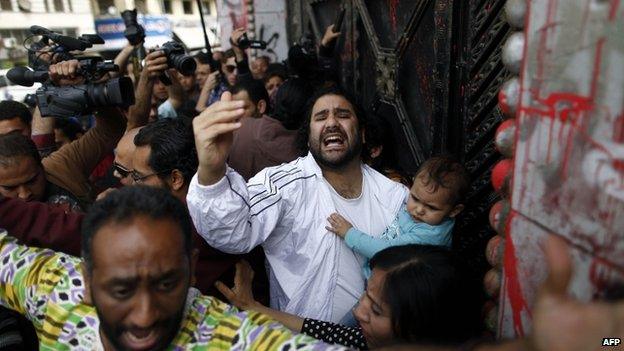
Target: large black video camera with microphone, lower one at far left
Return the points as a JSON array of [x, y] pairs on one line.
[[73, 100]]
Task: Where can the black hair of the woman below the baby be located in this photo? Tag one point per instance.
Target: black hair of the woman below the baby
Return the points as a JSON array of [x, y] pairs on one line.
[[430, 299]]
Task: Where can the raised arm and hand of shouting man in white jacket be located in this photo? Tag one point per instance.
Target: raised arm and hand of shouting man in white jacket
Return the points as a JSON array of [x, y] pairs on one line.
[[229, 214]]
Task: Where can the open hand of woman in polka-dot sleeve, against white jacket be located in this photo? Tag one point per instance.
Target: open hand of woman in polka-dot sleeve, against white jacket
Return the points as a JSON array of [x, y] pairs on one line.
[[240, 295]]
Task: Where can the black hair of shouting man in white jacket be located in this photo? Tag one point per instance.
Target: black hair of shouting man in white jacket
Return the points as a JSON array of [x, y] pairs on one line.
[[304, 131]]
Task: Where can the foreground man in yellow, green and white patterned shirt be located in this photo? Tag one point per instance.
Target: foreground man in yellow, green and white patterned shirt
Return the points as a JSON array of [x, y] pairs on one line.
[[132, 290]]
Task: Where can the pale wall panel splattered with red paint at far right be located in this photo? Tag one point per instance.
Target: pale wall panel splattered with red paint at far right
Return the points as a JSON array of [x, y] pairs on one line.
[[568, 174]]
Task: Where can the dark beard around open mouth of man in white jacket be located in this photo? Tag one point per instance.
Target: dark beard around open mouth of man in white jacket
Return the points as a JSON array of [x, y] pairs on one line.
[[353, 151]]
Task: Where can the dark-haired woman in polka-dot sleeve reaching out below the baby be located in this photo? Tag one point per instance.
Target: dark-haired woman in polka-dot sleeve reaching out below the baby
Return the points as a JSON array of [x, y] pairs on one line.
[[416, 294]]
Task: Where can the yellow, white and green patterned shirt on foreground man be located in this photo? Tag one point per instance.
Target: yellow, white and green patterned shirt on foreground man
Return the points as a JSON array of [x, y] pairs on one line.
[[48, 288]]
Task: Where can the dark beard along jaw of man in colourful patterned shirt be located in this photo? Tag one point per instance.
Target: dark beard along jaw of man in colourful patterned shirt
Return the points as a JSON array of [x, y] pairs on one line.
[[113, 333]]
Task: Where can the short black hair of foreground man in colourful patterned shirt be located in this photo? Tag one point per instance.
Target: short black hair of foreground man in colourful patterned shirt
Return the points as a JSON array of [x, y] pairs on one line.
[[128, 203]]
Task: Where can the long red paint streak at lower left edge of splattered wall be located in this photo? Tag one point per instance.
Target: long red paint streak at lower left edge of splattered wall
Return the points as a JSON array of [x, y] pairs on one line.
[[512, 285]]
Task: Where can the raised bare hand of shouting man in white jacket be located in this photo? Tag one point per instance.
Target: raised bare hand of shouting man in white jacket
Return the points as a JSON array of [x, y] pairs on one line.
[[213, 136]]
